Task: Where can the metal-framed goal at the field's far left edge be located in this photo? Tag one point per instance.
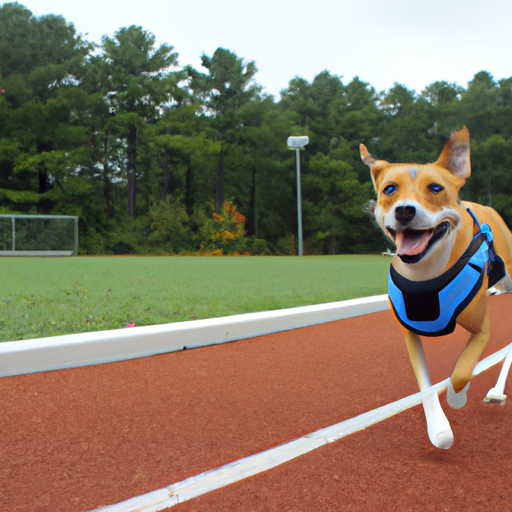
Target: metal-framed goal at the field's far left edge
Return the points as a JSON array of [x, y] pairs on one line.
[[38, 235]]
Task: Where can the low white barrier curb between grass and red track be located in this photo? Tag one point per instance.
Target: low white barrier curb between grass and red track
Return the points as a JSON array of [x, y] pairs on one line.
[[44, 354]]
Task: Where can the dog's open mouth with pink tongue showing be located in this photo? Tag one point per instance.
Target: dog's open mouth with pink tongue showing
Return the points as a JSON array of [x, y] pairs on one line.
[[413, 244]]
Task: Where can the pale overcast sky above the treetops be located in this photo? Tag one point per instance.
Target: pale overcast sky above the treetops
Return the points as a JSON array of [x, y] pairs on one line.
[[411, 42]]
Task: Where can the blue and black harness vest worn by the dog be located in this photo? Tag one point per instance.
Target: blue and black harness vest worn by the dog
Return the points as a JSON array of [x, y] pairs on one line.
[[431, 308]]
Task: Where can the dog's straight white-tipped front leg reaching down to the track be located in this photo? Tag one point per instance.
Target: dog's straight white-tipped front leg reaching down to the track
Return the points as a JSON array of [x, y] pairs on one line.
[[438, 426]]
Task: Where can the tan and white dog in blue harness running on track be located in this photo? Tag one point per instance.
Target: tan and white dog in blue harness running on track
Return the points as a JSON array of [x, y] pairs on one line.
[[448, 254]]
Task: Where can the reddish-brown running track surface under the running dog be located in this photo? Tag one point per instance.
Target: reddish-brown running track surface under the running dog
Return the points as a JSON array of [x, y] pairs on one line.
[[74, 440]]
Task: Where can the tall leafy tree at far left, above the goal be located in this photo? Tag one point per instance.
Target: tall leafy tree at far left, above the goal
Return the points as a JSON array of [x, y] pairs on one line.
[[42, 61]]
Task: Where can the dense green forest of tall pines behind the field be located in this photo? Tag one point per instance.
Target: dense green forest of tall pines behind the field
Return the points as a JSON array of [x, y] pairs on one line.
[[158, 158]]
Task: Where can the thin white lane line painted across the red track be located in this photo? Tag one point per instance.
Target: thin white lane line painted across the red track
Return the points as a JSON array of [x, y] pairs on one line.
[[249, 466]]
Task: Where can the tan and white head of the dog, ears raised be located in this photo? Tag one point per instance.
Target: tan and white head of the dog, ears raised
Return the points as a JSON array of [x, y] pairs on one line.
[[418, 205]]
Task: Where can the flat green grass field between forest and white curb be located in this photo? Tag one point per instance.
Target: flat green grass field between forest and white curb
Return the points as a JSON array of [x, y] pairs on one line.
[[51, 296]]
